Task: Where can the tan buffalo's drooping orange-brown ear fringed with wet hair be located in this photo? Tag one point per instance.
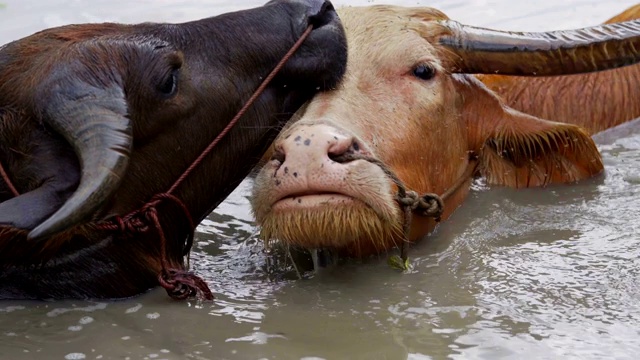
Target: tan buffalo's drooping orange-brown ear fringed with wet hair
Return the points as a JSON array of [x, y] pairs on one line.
[[519, 150]]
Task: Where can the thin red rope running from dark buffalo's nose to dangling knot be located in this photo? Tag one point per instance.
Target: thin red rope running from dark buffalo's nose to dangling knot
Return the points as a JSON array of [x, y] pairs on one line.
[[178, 283]]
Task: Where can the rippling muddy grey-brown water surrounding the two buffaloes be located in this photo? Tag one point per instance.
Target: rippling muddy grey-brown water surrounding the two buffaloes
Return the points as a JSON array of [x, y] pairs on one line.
[[534, 274]]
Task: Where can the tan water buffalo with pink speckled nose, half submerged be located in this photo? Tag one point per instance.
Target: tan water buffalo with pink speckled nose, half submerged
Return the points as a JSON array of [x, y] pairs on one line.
[[409, 107]]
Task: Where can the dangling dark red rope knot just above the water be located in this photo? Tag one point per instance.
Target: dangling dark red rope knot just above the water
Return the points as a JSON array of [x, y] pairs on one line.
[[181, 284]]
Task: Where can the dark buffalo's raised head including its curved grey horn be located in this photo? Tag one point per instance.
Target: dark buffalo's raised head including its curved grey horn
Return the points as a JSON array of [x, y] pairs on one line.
[[137, 103]]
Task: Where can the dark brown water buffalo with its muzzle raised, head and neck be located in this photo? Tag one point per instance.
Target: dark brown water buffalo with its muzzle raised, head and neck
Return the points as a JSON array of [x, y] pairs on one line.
[[95, 119]]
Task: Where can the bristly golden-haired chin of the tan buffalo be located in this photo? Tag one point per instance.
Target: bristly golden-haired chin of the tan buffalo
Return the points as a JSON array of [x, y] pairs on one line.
[[350, 229]]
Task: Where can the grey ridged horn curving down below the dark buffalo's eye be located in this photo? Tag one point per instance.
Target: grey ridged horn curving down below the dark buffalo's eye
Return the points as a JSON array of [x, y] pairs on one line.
[[94, 122]]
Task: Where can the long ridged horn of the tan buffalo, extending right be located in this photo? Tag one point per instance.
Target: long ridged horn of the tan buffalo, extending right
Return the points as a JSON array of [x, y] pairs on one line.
[[485, 51]]
